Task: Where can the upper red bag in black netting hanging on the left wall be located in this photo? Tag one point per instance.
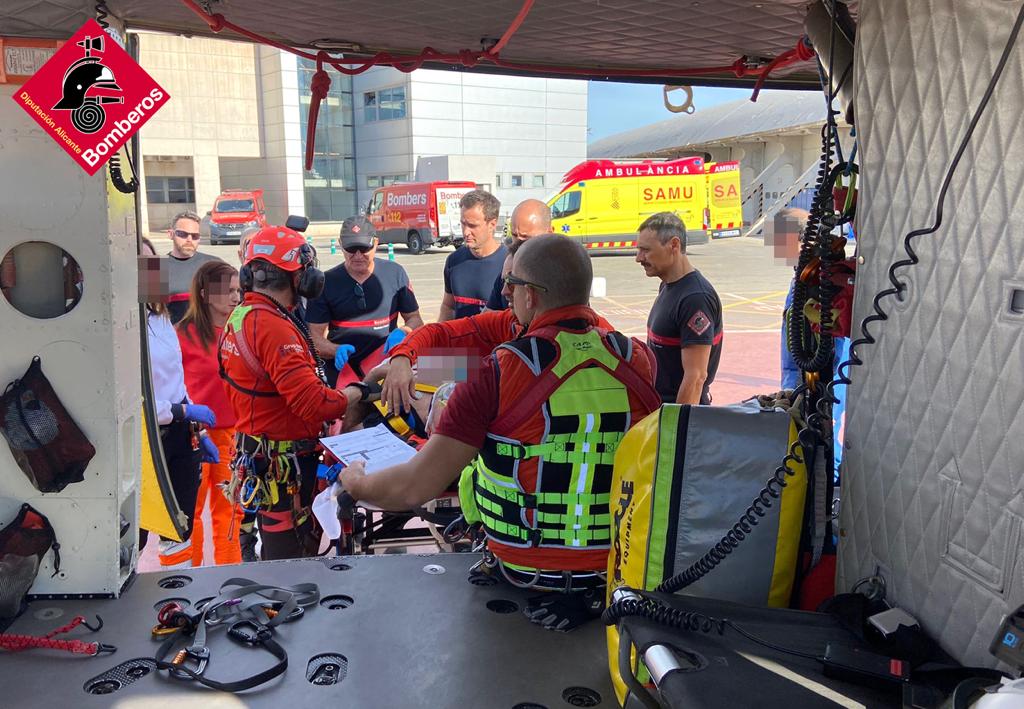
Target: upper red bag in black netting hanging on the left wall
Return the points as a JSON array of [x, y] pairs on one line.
[[48, 444]]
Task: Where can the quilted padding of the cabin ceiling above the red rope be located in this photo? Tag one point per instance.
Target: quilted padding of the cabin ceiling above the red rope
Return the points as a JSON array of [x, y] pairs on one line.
[[623, 34]]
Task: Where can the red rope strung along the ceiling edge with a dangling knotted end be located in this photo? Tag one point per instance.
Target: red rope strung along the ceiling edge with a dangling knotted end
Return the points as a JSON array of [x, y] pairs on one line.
[[742, 68]]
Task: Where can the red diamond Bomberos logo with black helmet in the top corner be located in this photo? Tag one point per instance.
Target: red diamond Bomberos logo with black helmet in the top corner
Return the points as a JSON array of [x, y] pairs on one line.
[[92, 97]]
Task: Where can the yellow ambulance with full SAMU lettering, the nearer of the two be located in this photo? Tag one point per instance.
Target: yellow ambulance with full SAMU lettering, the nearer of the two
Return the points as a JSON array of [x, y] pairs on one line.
[[603, 202]]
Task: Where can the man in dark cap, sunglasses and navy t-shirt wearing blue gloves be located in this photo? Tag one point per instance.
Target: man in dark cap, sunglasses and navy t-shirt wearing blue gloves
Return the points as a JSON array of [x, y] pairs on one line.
[[361, 303]]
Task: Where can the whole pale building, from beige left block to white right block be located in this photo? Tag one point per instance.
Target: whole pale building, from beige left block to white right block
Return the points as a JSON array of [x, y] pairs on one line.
[[238, 120]]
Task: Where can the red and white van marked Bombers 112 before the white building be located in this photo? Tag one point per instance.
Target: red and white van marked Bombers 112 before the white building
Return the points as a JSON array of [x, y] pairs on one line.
[[419, 215]]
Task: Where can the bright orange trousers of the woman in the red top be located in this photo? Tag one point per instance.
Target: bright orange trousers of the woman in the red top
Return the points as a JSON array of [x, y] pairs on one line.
[[226, 518]]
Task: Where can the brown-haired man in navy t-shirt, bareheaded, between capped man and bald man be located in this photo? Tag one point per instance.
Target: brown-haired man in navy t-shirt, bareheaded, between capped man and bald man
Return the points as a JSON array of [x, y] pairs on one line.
[[471, 273]]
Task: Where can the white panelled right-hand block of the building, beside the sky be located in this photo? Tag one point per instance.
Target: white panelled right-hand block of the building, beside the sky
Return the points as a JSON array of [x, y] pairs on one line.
[[516, 137]]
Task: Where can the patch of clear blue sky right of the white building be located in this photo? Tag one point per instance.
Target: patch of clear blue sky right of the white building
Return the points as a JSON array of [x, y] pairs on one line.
[[615, 108]]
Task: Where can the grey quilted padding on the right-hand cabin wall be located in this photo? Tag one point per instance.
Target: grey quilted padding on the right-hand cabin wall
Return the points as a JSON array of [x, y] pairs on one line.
[[933, 491]]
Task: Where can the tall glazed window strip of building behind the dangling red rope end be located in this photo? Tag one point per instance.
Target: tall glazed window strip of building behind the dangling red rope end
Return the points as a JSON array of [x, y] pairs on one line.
[[330, 188]]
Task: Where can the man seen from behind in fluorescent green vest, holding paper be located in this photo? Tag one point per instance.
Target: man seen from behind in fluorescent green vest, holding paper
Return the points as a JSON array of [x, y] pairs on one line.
[[560, 399]]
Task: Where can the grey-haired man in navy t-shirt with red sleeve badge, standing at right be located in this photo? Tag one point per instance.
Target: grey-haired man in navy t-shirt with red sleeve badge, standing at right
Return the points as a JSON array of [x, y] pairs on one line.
[[685, 328]]
